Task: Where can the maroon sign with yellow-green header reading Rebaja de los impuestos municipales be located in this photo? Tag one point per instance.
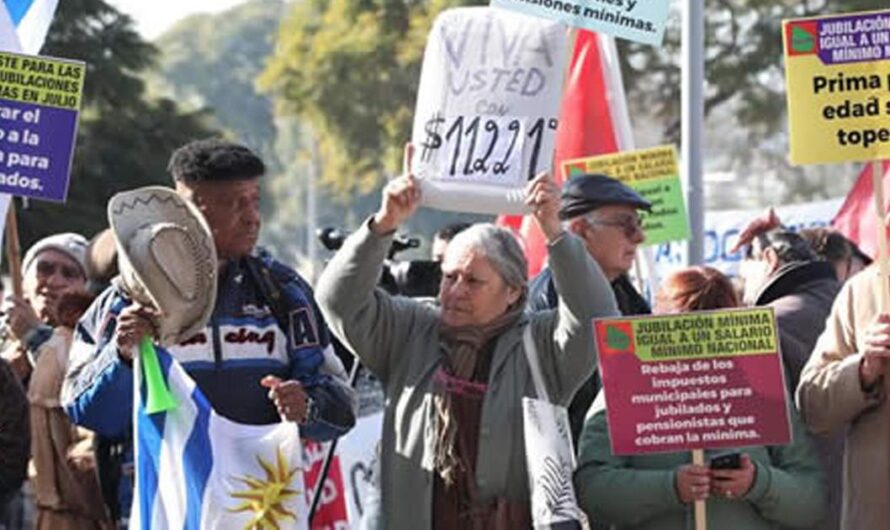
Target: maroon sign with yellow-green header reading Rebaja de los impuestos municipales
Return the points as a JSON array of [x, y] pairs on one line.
[[702, 380]]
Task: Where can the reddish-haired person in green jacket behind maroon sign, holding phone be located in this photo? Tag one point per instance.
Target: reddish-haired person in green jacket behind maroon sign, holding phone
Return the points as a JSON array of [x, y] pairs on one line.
[[750, 489]]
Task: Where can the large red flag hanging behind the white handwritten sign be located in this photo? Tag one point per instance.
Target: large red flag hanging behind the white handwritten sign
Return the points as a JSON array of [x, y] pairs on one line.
[[590, 105]]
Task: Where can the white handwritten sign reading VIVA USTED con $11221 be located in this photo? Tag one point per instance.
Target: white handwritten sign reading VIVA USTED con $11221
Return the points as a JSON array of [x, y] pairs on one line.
[[487, 108]]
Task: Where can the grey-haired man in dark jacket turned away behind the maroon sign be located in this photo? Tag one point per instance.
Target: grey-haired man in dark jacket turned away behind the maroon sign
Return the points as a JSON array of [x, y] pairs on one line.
[[782, 271]]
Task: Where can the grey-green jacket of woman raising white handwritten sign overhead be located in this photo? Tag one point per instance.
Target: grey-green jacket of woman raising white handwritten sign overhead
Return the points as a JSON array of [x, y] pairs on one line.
[[398, 340]]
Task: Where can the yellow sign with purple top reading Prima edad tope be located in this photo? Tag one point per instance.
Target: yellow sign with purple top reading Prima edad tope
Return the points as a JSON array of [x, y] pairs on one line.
[[838, 87]]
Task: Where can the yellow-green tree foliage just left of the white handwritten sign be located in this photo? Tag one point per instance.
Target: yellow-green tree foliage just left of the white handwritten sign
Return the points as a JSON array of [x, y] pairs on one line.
[[349, 69]]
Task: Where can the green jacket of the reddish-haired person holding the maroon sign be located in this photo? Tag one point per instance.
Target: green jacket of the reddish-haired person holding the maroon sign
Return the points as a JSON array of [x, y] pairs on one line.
[[638, 492]]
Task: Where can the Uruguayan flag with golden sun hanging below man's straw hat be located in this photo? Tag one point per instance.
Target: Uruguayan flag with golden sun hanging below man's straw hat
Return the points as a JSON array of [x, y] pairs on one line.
[[198, 470]]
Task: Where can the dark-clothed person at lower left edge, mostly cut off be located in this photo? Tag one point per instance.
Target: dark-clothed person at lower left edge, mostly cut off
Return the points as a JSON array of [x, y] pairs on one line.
[[15, 441]]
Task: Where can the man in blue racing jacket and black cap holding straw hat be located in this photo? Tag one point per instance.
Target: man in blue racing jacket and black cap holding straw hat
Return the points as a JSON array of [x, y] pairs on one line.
[[253, 341]]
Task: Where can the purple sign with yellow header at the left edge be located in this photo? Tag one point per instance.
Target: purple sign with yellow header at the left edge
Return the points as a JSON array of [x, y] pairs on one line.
[[39, 109]]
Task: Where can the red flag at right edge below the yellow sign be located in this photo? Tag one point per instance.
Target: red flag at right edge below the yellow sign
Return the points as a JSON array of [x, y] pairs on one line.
[[856, 218]]
